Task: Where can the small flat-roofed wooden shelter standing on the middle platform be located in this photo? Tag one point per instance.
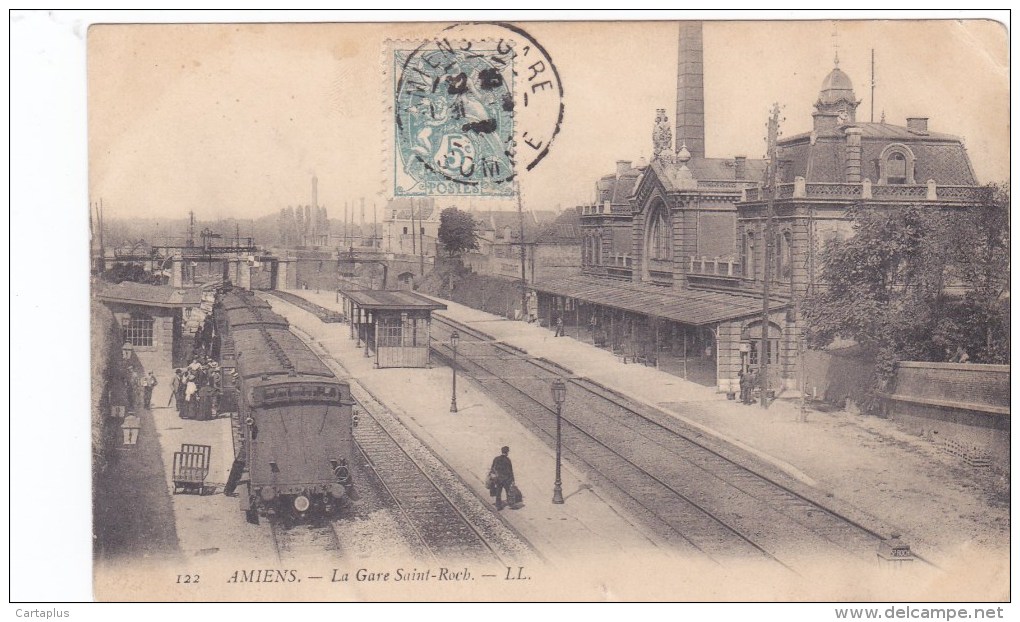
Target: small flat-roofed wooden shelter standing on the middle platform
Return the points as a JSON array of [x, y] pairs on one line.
[[395, 325]]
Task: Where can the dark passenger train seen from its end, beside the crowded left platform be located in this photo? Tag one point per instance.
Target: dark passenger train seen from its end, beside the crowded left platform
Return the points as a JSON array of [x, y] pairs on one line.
[[294, 421]]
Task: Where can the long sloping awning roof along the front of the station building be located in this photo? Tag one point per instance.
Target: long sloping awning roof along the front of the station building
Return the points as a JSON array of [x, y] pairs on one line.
[[694, 307]]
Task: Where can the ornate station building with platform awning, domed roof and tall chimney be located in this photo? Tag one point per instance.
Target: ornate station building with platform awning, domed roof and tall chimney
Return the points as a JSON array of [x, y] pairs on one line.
[[673, 256]]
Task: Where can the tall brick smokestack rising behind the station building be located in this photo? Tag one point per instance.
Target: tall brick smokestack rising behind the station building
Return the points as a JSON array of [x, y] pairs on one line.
[[691, 90]]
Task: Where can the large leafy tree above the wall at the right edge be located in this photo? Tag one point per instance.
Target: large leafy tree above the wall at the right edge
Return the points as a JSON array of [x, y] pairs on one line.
[[916, 284]]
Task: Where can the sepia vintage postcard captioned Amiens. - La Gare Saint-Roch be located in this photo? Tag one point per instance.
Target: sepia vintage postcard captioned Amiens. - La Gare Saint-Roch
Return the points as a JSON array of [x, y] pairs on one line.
[[696, 312]]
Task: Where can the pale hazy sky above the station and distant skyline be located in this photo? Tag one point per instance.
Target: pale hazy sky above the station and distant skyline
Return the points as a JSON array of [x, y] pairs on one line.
[[233, 121]]
